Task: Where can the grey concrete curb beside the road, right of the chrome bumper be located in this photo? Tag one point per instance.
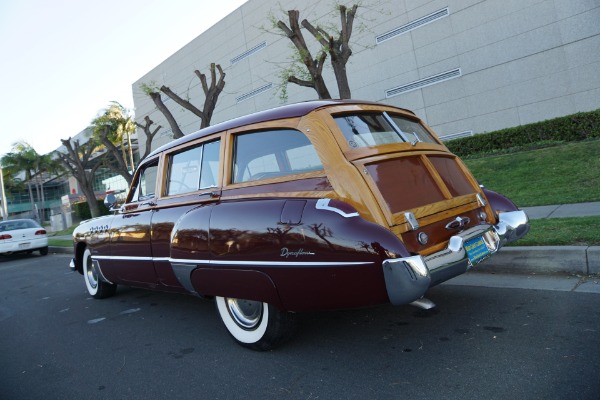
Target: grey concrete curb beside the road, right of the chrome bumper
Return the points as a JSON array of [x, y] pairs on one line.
[[546, 259]]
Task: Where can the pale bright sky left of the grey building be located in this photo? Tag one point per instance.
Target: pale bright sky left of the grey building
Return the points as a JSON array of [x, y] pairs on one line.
[[64, 61]]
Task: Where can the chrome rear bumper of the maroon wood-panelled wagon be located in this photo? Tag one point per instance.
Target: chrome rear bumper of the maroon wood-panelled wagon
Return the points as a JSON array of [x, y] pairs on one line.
[[407, 279]]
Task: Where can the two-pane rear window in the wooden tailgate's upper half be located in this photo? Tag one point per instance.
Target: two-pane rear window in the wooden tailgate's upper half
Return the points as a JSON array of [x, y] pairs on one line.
[[376, 129]]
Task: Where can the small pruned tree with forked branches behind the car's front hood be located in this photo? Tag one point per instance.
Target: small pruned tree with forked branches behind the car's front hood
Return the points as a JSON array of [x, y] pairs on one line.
[[79, 162]]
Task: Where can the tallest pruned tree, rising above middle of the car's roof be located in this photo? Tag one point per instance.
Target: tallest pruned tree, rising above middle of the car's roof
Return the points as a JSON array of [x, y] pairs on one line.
[[335, 45]]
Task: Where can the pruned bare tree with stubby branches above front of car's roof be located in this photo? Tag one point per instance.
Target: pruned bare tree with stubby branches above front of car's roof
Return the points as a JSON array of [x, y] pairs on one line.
[[211, 93]]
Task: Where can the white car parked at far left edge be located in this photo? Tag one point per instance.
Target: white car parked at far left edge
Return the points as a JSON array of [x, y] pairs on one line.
[[22, 235]]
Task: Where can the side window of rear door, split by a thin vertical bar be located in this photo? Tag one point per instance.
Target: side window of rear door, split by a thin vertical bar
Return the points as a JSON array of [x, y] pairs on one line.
[[194, 169]]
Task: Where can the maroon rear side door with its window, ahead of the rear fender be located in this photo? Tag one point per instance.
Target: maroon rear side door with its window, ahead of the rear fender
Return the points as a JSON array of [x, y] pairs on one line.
[[181, 219]]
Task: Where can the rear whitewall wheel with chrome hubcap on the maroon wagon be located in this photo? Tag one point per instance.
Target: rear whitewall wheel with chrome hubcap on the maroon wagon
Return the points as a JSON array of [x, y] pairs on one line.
[[254, 324]]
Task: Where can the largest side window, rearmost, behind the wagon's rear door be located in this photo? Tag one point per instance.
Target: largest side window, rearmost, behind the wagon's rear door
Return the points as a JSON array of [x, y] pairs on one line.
[[268, 154]]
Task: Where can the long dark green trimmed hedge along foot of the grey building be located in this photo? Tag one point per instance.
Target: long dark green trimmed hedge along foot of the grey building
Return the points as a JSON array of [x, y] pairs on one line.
[[571, 128]]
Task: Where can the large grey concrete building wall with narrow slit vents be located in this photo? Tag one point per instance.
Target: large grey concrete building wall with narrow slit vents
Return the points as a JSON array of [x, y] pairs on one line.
[[461, 65]]
